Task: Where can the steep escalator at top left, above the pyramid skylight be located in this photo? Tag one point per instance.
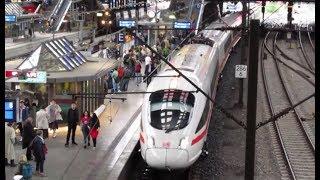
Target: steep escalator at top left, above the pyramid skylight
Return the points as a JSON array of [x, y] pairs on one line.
[[59, 13]]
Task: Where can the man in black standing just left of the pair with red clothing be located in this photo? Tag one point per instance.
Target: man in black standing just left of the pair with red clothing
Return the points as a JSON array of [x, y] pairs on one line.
[[73, 119]]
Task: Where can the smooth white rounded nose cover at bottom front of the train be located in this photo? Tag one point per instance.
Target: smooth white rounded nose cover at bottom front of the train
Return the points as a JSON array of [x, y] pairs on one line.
[[167, 158]]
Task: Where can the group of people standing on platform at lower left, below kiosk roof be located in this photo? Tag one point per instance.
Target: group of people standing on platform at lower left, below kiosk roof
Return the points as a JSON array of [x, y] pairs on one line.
[[34, 125]]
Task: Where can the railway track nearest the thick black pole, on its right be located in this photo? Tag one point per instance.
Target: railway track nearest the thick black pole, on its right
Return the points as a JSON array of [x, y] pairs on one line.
[[293, 147]]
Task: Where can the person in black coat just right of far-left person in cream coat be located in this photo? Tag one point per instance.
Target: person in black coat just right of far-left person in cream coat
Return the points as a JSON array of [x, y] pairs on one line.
[[28, 135]]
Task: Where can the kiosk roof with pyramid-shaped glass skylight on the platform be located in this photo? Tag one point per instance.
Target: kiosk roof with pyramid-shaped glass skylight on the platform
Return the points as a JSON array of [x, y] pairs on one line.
[[62, 62]]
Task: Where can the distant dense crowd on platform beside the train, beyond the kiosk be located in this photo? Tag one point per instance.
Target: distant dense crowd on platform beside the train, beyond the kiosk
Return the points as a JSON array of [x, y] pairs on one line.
[[117, 80]]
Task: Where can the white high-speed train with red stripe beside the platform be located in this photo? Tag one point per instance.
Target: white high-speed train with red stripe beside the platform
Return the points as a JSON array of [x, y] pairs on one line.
[[175, 118]]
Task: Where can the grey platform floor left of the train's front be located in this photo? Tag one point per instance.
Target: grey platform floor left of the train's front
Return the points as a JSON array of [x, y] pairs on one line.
[[119, 123]]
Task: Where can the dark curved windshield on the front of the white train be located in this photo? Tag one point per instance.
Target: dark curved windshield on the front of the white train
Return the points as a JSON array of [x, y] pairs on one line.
[[170, 109]]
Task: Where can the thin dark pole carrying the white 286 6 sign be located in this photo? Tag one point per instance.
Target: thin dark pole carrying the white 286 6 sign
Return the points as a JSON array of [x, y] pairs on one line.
[[243, 50]]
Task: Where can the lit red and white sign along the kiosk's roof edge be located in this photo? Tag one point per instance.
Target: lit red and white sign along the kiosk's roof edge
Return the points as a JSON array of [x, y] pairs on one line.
[[31, 77]]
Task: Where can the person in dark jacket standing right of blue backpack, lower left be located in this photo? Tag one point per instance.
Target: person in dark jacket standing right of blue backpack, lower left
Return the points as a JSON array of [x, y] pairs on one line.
[[39, 151]]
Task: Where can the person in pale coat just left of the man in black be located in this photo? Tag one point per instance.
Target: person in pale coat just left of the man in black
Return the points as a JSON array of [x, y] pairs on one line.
[[54, 111]]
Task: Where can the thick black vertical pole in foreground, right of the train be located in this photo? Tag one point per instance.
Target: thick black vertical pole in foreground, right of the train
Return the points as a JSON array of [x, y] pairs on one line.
[[252, 99]]
